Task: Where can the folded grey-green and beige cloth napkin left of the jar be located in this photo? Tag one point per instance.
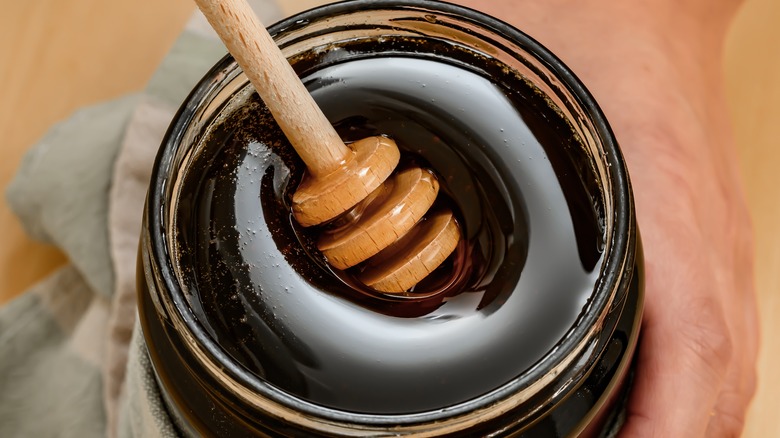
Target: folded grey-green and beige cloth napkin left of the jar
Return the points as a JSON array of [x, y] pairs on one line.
[[72, 360]]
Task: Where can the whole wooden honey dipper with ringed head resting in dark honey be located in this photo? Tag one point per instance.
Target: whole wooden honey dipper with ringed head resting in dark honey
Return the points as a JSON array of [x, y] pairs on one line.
[[388, 228]]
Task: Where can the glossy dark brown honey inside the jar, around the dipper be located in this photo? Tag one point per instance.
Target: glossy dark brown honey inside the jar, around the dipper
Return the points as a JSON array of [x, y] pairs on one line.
[[509, 166]]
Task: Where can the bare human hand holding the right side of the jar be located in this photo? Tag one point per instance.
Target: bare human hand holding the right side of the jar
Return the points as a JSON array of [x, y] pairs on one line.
[[655, 69]]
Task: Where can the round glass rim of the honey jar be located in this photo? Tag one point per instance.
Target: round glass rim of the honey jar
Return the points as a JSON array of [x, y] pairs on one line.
[[621, 241]]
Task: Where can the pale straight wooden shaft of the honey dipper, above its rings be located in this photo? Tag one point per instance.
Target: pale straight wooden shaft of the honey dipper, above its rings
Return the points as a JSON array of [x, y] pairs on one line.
[[293, 108]]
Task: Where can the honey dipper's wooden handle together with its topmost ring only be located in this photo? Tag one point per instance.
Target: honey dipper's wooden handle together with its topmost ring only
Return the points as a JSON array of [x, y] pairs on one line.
[[338, 176]]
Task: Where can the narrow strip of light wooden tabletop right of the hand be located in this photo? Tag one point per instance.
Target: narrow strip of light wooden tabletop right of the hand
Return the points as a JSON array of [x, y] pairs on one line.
[[753, 77]]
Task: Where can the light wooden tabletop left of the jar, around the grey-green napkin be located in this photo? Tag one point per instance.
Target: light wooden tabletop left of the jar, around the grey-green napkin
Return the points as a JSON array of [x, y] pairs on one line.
[[57, 56]]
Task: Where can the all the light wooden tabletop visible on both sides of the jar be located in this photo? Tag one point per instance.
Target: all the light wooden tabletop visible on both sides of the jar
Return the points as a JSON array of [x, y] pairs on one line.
[[59, 55]]
